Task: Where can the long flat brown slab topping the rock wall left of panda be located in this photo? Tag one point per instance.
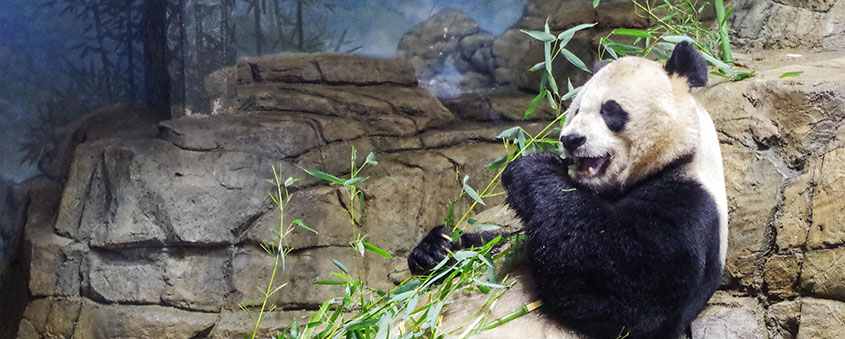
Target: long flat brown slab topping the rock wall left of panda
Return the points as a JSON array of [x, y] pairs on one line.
[[334, 69]]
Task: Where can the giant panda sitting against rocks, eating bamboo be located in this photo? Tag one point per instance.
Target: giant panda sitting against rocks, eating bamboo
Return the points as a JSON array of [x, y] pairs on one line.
[[626, 229]]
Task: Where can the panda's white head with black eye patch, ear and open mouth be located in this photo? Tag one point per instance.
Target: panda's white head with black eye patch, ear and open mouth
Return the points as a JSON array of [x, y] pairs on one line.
[[632, 118]]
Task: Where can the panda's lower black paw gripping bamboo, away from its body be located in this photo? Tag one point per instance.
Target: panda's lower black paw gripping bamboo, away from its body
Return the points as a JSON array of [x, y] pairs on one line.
[[439, 243]]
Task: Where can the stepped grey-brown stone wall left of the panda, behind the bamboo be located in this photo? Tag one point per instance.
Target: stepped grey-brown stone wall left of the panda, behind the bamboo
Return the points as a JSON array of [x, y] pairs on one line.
[[157, 235]]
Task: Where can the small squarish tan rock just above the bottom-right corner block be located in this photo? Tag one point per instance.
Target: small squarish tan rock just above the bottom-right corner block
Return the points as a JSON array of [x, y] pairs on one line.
[[823, 273]]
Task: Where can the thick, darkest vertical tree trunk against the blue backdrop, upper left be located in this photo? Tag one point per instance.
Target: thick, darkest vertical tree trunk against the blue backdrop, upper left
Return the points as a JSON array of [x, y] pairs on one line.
[[156, 76]]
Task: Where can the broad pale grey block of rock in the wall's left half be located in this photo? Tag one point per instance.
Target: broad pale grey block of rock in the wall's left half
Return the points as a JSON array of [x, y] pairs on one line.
[[174, 196]]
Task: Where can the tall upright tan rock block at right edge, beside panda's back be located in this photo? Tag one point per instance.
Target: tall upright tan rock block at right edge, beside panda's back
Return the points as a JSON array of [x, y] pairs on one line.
[[828, 228]]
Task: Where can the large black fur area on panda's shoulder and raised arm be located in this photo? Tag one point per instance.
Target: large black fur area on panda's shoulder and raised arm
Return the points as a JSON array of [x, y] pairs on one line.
[[645, 260]]
